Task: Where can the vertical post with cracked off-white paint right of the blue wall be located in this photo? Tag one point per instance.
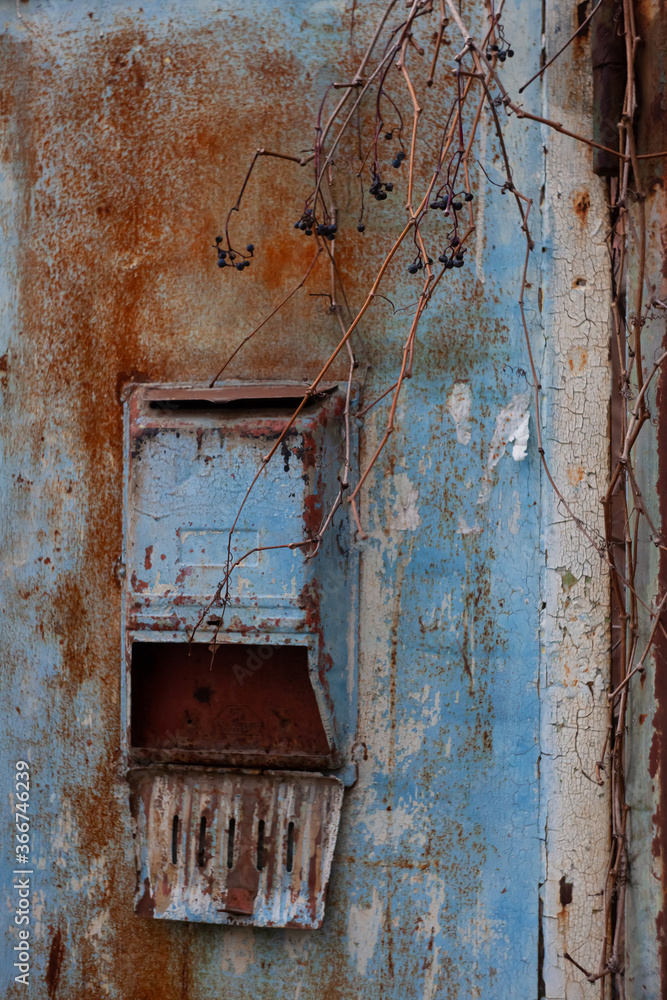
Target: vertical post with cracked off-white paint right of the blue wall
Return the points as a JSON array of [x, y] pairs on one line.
[[574, 811]]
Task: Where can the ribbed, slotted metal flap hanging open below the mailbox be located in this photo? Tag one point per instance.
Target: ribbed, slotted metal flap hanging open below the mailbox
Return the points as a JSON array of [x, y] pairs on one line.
[[234, 847]]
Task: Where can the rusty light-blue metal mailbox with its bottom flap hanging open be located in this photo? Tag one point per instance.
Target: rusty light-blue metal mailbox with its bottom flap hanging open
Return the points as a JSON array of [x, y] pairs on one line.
[[238, 721]]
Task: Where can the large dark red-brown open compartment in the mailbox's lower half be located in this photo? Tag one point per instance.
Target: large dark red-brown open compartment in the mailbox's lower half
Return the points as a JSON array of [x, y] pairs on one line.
[[244, 703]]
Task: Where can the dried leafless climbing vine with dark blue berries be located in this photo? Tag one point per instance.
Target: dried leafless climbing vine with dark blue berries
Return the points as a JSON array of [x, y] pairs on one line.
[[381, 110]]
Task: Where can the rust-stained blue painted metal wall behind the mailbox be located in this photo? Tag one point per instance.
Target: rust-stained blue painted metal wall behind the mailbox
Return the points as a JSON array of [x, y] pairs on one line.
[[127, 128]]
